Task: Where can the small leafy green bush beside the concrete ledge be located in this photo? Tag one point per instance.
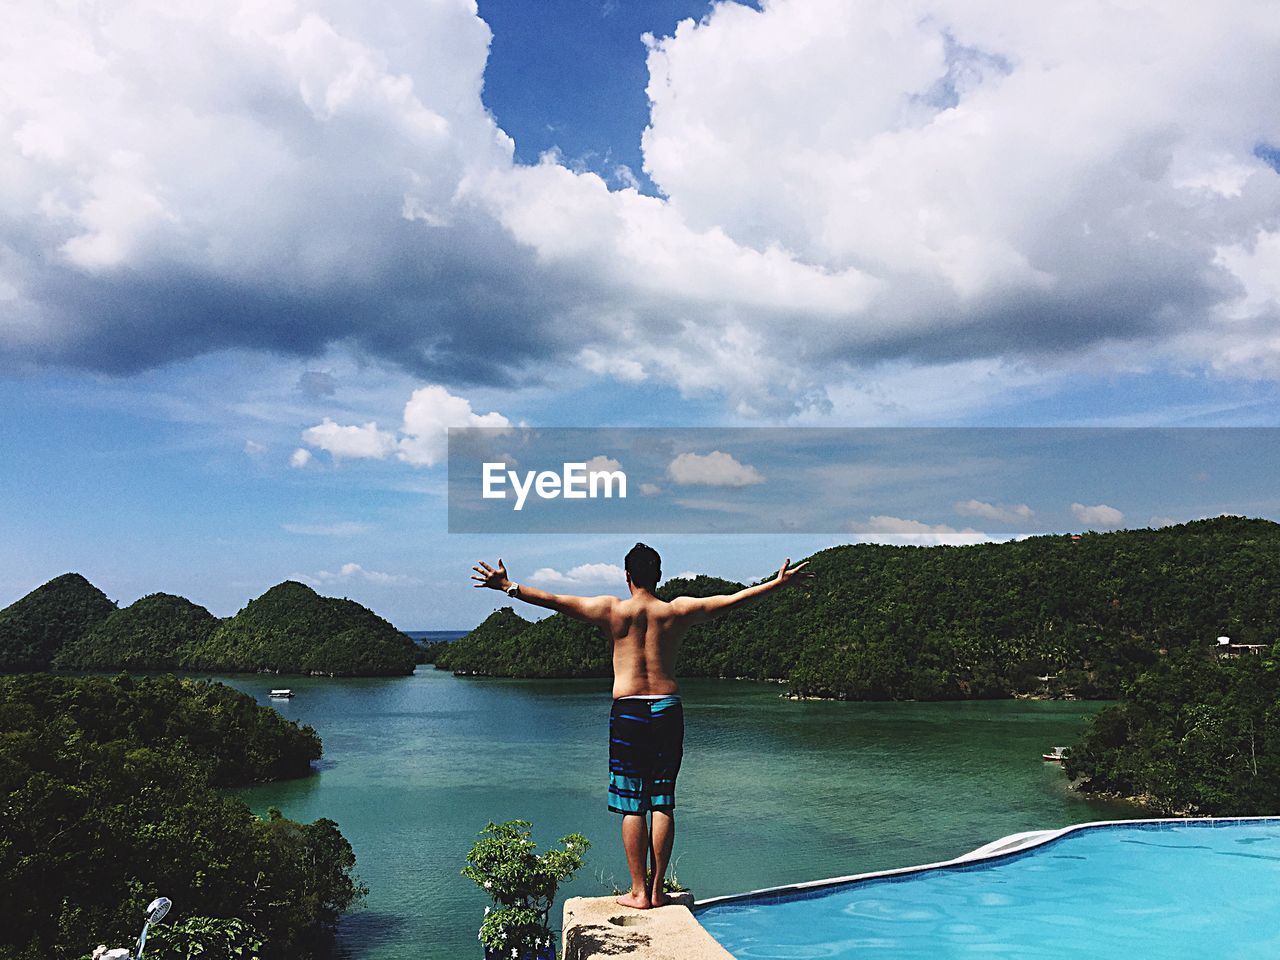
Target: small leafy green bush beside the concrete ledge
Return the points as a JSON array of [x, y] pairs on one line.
[[506, 865]]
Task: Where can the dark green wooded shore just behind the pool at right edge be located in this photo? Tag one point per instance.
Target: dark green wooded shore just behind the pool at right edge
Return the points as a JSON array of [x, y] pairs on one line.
[[1194, 734]]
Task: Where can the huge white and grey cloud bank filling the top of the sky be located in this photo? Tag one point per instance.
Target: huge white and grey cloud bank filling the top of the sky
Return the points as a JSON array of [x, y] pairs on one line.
[[295, 176]]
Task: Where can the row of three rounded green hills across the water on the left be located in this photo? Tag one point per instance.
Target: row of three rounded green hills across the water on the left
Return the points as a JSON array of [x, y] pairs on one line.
[[68, 624]]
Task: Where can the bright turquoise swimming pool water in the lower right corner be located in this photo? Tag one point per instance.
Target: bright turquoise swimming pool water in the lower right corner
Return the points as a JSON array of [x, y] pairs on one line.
[[1159, 892]]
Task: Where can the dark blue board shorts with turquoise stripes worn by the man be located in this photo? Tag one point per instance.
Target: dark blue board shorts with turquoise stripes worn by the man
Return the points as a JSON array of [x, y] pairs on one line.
[[647, 744]]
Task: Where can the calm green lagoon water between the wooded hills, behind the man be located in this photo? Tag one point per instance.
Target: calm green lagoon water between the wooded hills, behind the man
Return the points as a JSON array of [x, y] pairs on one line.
[[772, 790]]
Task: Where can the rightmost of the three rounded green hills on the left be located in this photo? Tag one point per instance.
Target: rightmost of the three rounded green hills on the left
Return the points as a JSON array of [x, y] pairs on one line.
[[291, 629]]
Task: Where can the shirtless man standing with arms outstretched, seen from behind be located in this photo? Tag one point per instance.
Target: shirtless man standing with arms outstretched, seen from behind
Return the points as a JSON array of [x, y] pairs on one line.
[[647, 724]]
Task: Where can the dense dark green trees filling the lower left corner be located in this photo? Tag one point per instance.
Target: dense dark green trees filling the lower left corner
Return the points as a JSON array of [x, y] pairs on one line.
[[108, 799]]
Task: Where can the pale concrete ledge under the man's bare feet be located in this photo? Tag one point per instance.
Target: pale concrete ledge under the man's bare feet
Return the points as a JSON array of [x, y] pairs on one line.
[[597, 927]]
